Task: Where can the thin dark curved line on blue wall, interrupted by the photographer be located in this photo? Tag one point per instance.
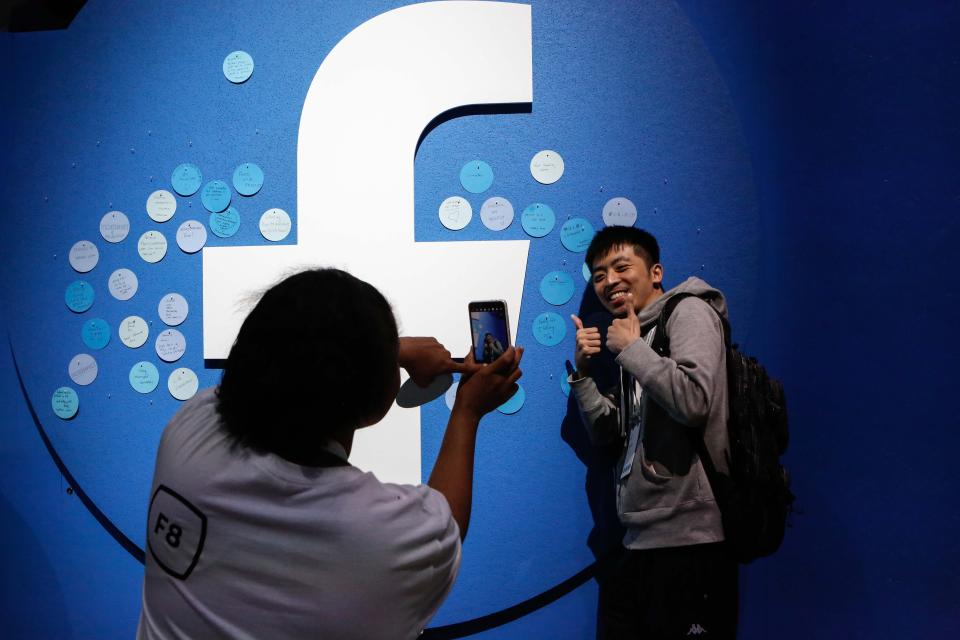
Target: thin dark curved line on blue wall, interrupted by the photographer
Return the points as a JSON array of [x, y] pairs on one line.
[[455, 630]]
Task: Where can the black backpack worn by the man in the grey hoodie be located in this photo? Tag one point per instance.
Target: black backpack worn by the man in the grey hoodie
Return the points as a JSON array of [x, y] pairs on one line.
[[755, 498]]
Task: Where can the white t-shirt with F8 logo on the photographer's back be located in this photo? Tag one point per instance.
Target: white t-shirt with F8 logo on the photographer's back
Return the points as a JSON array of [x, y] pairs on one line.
[[248, 545]]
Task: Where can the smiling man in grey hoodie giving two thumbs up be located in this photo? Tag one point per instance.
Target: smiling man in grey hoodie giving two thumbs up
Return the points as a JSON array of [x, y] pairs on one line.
[[674, 578]]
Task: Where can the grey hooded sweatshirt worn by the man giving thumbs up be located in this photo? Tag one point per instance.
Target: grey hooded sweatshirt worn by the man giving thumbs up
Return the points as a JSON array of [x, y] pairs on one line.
[[665, 500]]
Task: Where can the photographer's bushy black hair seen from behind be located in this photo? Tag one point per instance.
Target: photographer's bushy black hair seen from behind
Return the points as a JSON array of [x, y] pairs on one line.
[[310, 359]]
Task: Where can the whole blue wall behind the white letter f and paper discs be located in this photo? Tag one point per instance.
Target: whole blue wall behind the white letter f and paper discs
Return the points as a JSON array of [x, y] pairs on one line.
[[801, 156]]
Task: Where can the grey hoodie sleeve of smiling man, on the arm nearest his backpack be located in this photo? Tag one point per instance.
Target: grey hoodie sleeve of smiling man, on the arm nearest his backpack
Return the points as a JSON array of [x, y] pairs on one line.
[[683, 383]]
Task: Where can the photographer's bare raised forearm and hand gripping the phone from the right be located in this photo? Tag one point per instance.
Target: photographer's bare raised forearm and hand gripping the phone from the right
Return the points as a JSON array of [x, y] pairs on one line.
[[479, 393]]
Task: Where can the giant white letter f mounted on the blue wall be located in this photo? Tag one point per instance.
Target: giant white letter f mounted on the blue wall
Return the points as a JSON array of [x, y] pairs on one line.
[[369, 102]]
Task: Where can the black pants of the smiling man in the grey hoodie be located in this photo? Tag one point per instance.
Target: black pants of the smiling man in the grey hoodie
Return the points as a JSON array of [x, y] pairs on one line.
[[677, 592]]
